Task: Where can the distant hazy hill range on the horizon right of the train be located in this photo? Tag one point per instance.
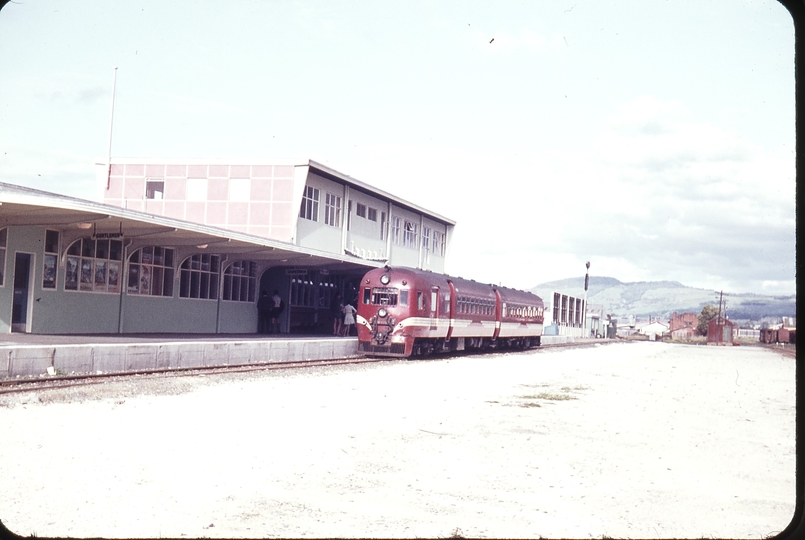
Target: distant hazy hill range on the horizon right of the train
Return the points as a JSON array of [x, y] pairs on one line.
[[662, 298]]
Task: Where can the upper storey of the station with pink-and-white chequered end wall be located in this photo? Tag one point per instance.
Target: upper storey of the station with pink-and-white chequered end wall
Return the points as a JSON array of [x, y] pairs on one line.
[[299, 202]]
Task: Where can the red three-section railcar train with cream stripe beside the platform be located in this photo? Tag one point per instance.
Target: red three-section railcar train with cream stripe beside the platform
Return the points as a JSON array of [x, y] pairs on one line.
[[408, 312]]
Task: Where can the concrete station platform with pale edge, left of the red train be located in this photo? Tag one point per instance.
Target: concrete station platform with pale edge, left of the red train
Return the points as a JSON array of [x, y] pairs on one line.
[[30, 355]]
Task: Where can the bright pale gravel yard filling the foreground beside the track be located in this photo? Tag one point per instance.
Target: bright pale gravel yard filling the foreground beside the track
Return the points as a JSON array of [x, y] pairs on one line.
[[625, 440]]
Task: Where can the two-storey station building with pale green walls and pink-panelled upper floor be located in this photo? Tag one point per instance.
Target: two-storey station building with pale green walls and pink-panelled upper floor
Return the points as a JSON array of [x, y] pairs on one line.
[[188, 246]]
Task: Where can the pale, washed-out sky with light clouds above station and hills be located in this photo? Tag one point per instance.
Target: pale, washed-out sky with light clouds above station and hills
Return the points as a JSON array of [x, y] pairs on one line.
[[652, 138]]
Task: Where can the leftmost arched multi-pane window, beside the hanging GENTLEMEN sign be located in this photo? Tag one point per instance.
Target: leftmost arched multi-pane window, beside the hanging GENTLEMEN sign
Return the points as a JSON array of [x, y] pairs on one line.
[[93, 266]]
